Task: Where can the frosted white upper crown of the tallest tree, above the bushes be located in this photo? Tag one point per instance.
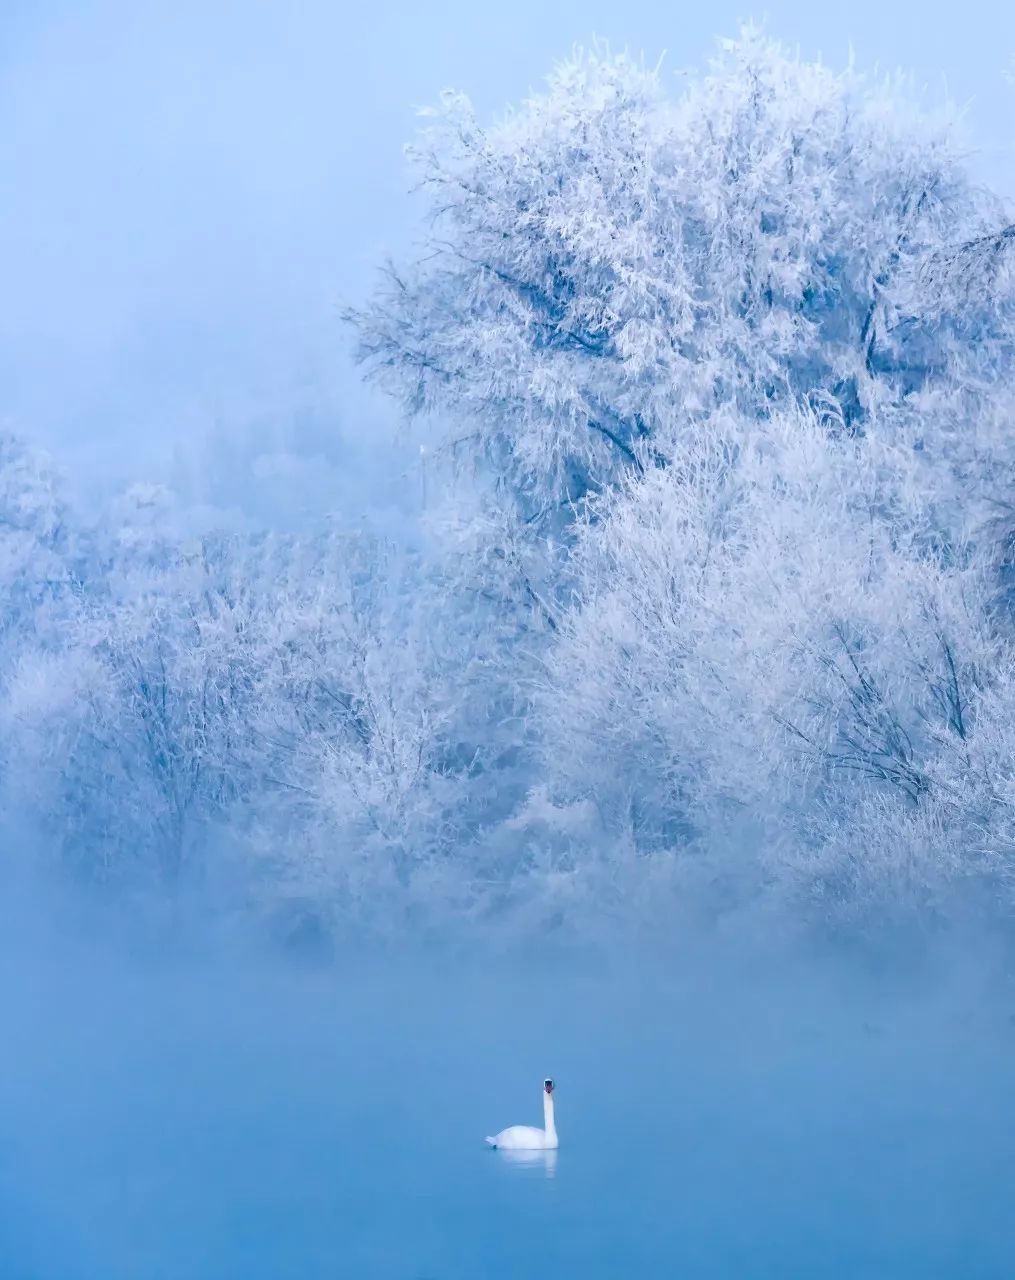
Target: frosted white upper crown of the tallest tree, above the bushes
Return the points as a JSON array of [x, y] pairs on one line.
[[609, 264]]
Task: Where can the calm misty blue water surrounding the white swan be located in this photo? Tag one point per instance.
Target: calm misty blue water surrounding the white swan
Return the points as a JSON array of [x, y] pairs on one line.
[[200, 1124]]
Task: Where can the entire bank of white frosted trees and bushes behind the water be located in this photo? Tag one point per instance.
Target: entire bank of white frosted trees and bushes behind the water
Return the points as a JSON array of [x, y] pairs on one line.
[[710, 611]]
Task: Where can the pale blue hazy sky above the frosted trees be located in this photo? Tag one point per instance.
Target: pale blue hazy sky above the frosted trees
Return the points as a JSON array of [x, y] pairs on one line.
[[189, 190]]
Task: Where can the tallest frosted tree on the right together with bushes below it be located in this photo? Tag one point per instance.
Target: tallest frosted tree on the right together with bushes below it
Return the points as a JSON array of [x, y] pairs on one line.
[[740, 360]]
